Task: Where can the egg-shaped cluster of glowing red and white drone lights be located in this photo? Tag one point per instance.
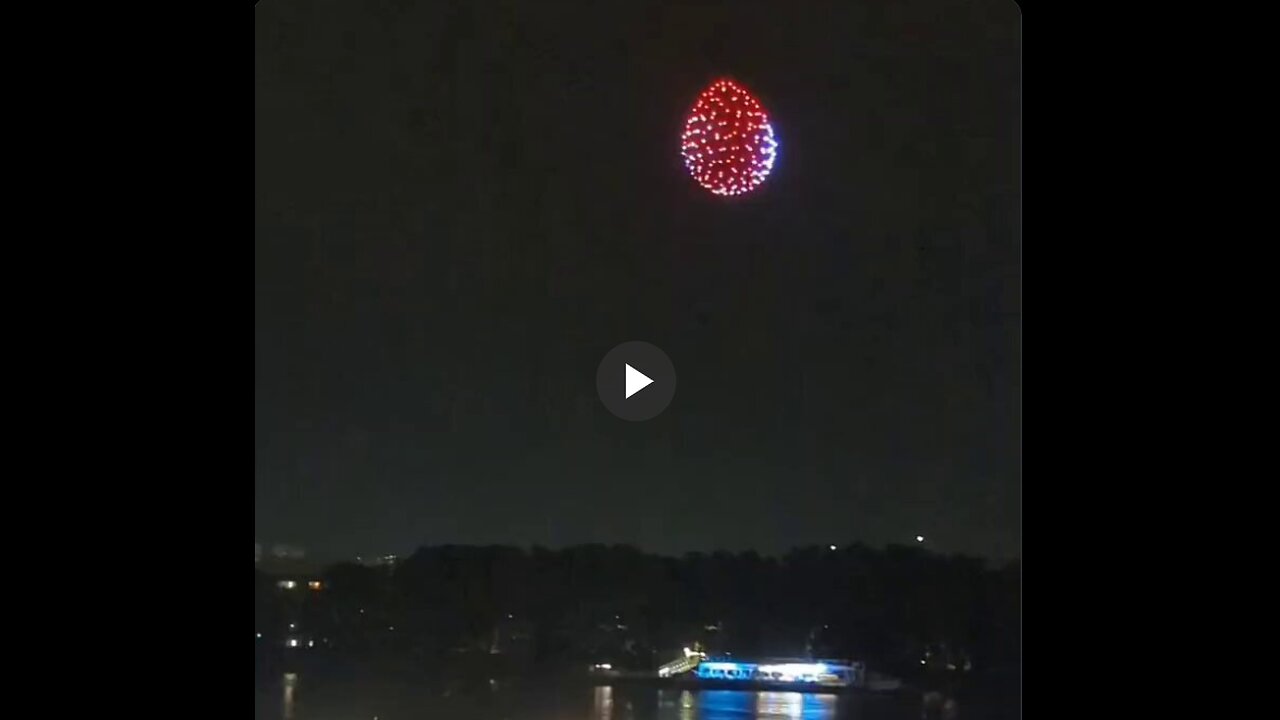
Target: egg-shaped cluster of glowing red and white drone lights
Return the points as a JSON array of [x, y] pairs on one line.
[[729, 144]]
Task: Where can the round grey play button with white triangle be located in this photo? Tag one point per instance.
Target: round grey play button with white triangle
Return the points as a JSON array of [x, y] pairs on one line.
[[636, 381]]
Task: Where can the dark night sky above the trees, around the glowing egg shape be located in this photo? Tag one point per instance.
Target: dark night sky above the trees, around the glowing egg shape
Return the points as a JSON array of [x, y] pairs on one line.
[[461, 207]]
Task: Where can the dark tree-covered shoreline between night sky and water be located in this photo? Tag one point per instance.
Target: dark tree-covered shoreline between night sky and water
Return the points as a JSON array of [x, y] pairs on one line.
[[890, 608]]
